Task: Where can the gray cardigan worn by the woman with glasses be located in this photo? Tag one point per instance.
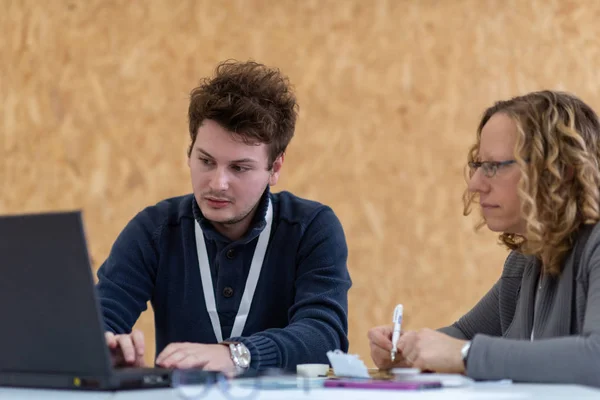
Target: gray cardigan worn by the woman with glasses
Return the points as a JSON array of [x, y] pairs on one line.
[[566, 322]]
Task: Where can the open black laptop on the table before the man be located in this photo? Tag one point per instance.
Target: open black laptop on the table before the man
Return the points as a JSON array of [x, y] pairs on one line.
[[52, 334]]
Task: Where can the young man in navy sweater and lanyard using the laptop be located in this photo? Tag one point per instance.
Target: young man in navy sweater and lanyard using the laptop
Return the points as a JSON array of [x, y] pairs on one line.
[[238, 277]]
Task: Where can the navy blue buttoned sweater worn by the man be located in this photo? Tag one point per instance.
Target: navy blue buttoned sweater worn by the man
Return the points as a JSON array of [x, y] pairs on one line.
[[300, 306]]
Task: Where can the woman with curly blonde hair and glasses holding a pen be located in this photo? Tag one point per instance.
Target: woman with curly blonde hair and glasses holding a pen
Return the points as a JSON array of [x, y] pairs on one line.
[[534, 173]]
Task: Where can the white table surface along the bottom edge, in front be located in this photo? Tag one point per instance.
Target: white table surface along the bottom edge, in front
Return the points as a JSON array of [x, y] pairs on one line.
[[484, 391]]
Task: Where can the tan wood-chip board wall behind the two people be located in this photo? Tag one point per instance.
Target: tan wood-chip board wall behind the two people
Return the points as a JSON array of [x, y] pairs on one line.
[[94, 98]]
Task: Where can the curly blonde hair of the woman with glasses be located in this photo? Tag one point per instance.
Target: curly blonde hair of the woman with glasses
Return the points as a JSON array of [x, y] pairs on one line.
[[558, 153]]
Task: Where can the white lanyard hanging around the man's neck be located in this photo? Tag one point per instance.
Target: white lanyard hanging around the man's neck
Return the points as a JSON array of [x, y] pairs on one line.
[[251, 282]]
